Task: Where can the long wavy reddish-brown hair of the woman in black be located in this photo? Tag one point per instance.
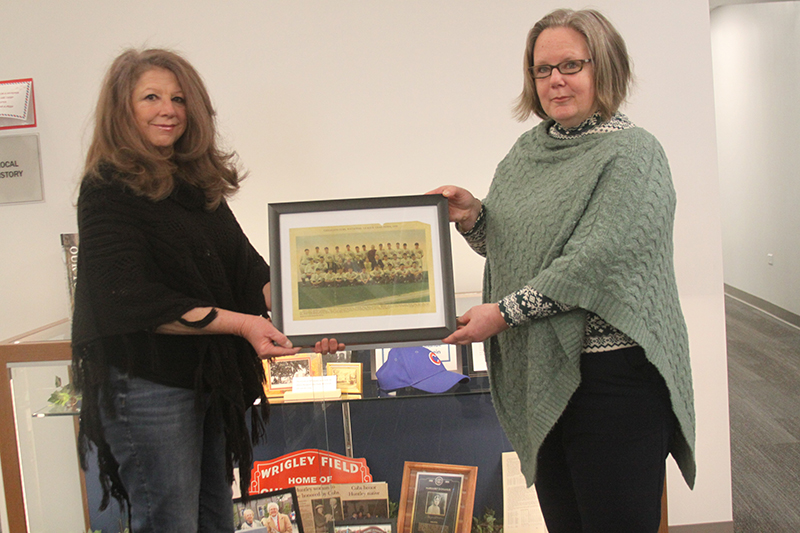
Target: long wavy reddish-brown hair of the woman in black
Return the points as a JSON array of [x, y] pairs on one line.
[[146, 169]]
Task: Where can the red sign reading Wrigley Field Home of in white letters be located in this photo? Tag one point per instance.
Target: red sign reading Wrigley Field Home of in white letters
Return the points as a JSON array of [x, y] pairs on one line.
[[307, 467]]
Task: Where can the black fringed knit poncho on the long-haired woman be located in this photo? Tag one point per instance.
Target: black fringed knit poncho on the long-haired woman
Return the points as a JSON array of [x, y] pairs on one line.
[[145, 263]]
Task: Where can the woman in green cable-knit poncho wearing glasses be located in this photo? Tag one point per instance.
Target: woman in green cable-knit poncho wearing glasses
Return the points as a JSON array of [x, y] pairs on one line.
[[586, 343]]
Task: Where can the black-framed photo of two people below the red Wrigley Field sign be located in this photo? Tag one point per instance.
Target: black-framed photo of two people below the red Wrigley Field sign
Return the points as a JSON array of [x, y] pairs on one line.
[[279, 507]]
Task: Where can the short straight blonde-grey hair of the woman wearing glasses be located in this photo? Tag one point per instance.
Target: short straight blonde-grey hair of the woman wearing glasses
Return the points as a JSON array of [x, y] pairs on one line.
[[613, 71]]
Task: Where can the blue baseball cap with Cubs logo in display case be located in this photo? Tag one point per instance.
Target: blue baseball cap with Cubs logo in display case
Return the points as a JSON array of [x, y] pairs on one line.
[[416, 367]]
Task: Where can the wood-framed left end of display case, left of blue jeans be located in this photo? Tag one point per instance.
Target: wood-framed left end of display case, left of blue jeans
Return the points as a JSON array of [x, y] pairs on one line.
[[42, 480]]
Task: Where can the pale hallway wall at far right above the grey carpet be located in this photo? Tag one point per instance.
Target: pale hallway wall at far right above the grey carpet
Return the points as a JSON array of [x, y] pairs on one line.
[[756, 51]]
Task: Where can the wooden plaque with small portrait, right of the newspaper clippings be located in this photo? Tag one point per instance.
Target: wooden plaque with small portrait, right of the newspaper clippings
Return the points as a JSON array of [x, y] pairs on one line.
[[436, 497]]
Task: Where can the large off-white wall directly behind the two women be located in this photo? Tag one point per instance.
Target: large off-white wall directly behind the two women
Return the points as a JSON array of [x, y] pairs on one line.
[[358, 98]]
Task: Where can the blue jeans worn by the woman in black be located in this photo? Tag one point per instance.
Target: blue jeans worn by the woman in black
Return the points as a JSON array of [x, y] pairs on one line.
[[171, 456]]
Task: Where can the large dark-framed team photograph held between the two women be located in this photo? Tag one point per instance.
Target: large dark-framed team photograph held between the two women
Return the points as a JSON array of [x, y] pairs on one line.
[[370, 271]]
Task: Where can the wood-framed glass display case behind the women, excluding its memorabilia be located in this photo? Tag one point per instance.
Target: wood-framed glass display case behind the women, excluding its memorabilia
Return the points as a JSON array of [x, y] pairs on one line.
[[43, 483]]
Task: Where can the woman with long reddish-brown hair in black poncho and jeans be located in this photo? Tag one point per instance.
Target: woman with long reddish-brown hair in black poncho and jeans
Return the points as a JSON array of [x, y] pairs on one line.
[[170, 321]]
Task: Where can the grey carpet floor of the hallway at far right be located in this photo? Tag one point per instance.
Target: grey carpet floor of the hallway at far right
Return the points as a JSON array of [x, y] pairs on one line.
[[764, 388]]
